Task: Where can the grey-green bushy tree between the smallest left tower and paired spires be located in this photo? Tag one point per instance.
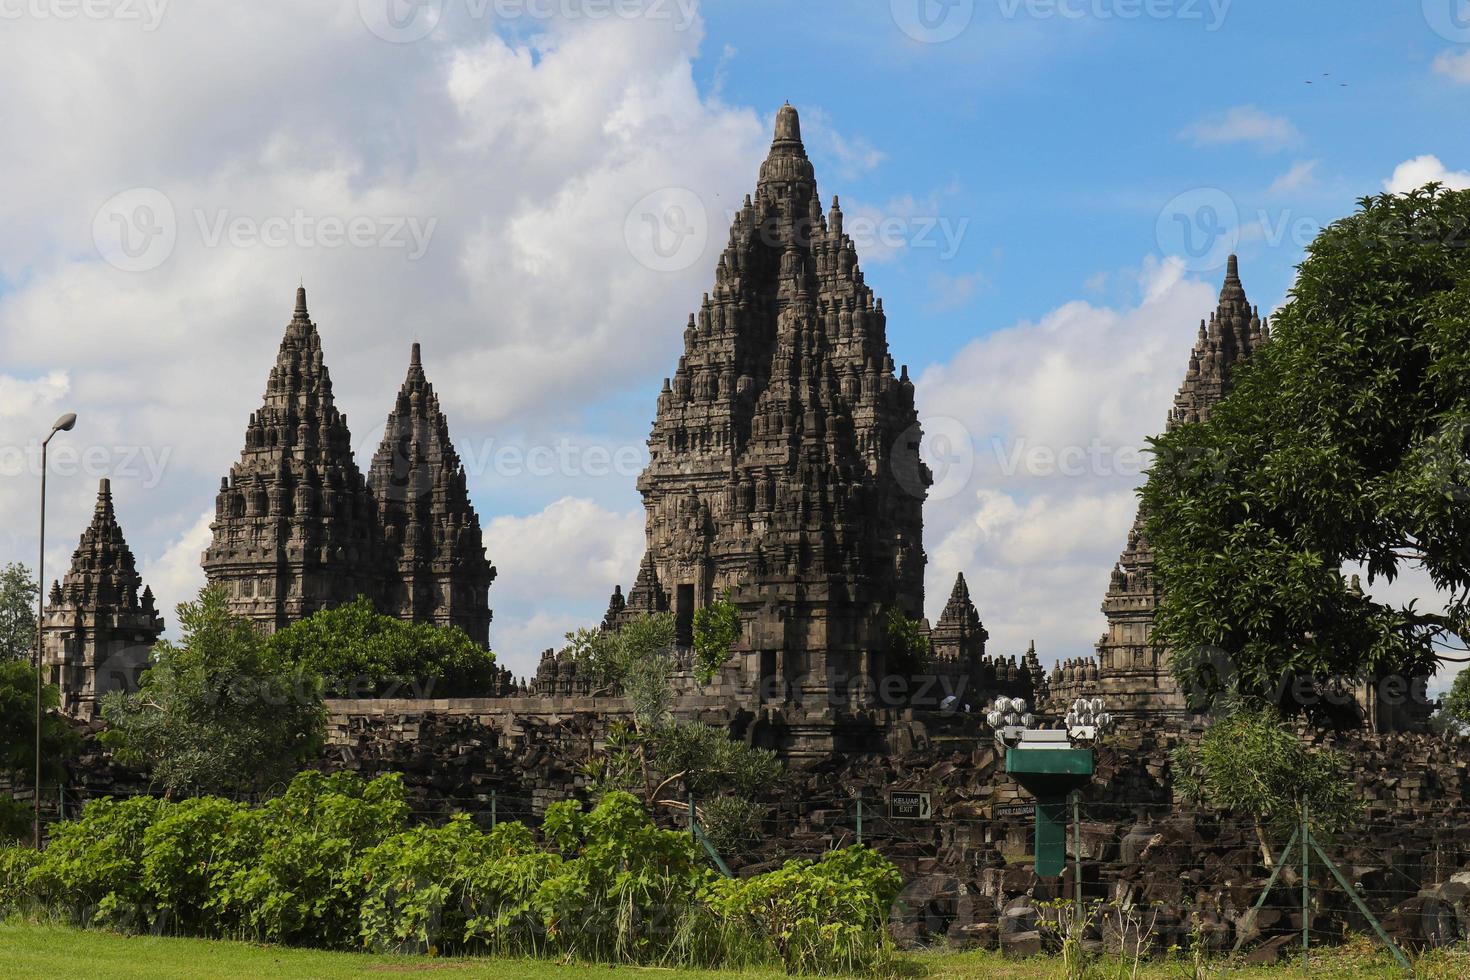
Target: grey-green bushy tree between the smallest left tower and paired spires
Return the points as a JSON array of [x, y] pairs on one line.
[[218, 712]]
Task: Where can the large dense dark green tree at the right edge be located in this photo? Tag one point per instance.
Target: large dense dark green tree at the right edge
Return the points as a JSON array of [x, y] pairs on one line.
[[1343, 444]]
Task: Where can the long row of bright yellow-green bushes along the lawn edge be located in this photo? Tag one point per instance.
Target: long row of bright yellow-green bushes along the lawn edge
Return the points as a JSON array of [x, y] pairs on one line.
[[333, 863]]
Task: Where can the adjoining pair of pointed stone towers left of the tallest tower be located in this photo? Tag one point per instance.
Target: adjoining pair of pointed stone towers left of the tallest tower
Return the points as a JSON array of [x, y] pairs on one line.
[[299, 530]]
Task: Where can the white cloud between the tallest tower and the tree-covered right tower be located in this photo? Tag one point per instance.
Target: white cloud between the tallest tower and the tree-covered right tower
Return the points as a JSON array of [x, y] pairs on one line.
[[1044, 496]]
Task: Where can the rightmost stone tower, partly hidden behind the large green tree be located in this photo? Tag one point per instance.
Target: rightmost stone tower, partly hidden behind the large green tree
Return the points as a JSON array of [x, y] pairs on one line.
[[1133, 675]]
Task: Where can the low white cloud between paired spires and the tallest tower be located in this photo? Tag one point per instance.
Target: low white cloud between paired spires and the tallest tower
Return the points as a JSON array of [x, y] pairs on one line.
[[556, 571]]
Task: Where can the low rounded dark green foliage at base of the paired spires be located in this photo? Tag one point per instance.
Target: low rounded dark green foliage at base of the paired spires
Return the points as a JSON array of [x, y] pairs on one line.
[[362, 653]]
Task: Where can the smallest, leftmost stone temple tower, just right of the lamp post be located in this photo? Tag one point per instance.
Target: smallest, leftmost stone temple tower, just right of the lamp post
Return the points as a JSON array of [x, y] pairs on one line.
[[101, 622]]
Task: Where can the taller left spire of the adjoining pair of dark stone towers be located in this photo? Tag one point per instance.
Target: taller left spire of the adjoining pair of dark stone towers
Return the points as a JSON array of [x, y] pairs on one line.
[[295, 524]]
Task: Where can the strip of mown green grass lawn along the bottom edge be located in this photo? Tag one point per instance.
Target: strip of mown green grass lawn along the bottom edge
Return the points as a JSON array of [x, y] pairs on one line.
[[60, 953]]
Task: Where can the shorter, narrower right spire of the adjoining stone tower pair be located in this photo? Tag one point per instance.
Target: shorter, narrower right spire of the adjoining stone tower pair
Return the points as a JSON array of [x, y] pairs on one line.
[[431, 531]]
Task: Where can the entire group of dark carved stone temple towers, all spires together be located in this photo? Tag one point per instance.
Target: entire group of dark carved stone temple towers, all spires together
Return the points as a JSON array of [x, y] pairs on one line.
[[784, 474]]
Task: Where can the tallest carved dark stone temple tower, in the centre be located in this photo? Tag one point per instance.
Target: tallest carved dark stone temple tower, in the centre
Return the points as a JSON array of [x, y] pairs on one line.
[[784, 459]]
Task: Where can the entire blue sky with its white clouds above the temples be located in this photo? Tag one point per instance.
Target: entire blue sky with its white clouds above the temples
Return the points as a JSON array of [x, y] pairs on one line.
[[1050, 195]]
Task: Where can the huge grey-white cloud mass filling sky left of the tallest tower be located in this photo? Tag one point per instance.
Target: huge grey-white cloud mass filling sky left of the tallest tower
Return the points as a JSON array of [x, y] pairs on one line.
[[524, 152]]
